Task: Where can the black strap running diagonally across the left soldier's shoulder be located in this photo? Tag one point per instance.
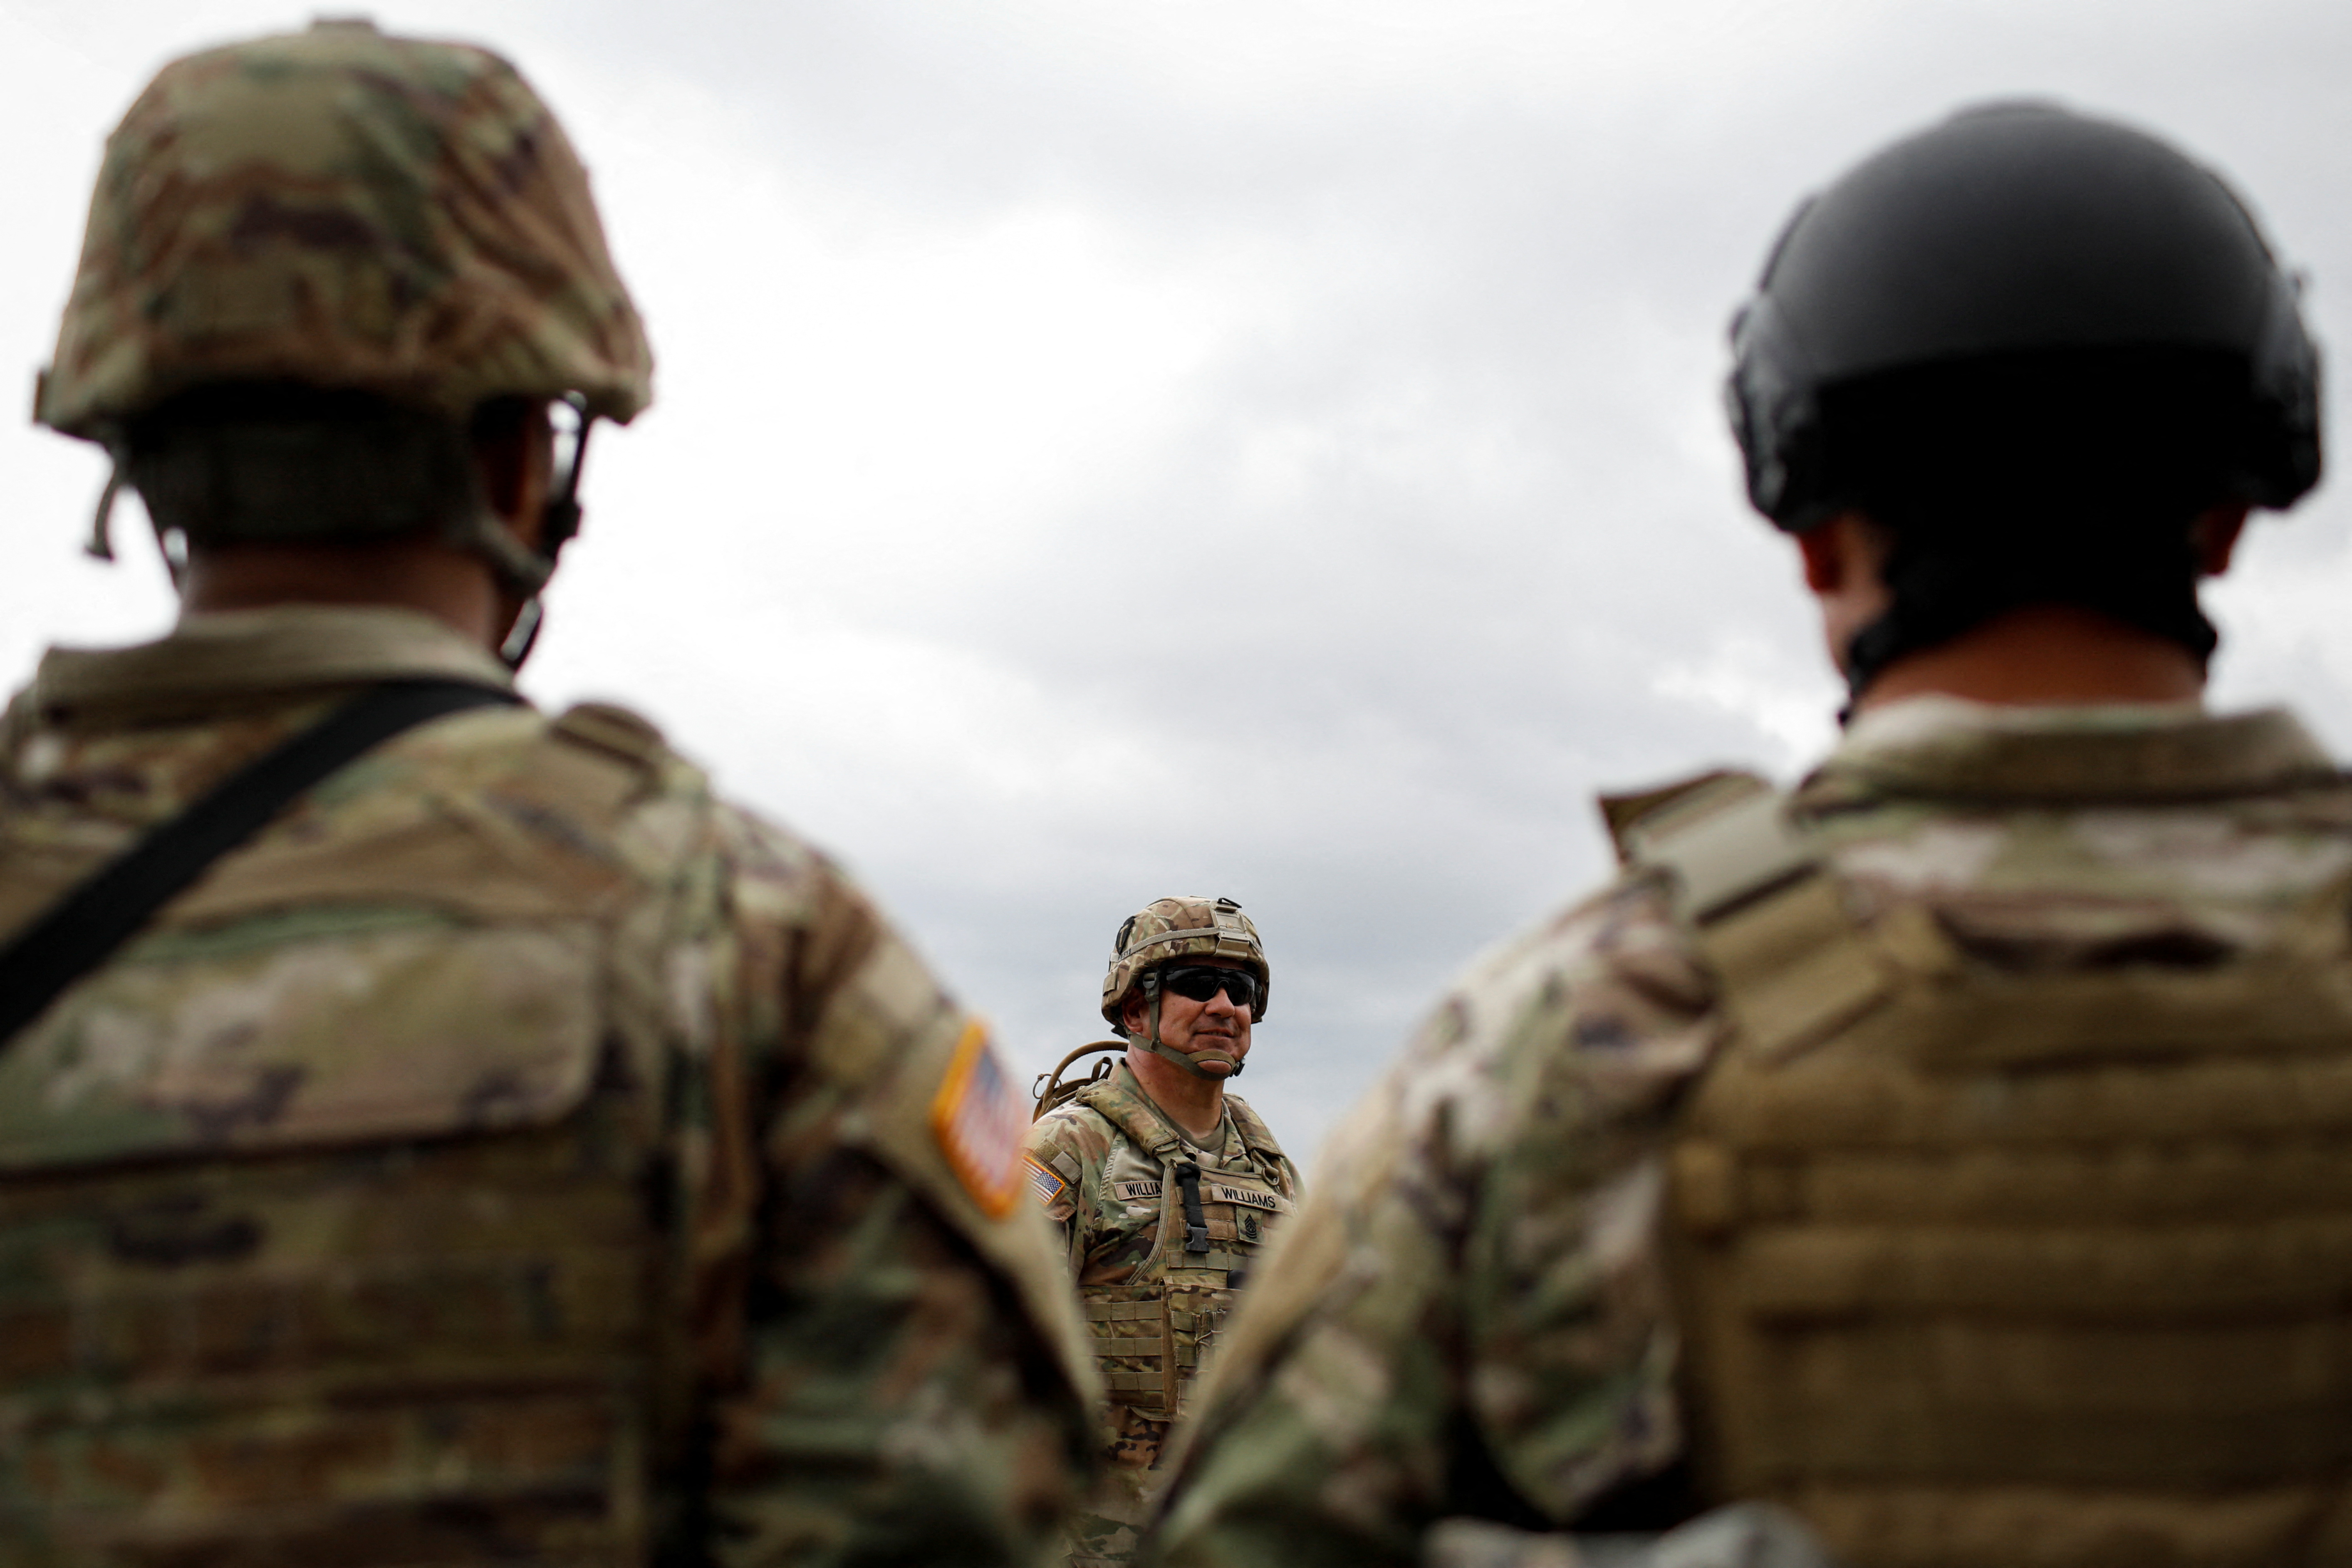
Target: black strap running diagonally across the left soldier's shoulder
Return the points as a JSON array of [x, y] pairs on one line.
[[91, 923]]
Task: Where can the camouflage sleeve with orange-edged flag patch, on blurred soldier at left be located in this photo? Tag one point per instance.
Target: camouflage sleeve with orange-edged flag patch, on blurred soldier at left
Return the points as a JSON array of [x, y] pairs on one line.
[[900, 1362]]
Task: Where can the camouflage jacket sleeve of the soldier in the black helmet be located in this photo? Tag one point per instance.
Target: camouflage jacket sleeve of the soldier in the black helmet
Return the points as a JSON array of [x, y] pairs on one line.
[[1469, 1315]]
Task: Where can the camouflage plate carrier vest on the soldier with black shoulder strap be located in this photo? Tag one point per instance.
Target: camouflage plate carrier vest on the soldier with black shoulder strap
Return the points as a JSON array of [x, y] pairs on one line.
[[363, 1311]]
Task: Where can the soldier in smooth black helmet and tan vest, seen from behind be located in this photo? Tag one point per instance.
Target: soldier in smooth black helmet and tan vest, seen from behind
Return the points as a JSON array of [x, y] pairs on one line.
[[1942, 1162]]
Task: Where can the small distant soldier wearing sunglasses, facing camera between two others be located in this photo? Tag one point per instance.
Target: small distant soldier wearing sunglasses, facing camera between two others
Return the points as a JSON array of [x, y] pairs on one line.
[[1165, 1186]]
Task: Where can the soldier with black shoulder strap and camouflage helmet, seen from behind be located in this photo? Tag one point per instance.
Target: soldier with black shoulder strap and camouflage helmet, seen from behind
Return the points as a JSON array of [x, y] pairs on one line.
[[502, 1151]]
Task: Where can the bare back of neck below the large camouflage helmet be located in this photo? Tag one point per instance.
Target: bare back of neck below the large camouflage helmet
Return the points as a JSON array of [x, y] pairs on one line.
[[436, 579]]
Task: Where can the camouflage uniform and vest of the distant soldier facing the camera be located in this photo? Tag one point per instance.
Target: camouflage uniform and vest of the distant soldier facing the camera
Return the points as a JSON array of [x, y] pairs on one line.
[[1109, 1172]]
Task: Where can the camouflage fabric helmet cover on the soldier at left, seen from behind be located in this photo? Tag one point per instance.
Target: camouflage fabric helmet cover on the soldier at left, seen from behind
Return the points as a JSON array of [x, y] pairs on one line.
[[347, 210]]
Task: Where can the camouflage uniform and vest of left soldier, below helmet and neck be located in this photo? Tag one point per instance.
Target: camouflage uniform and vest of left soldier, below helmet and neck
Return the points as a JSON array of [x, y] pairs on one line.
[[512, 1155]]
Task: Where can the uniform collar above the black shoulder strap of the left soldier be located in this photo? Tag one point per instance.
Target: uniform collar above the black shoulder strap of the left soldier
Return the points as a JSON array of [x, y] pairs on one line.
[[262, 650]]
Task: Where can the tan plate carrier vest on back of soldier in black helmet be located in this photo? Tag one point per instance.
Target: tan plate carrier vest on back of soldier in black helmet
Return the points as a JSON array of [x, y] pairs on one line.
[[1993, 1266]]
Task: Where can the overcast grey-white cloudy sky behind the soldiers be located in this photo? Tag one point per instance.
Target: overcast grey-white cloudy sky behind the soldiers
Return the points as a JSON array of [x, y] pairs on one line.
[[1118, 448]]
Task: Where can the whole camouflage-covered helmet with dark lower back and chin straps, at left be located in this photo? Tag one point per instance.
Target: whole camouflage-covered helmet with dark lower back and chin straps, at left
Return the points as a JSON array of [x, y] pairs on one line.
[[342, 255]]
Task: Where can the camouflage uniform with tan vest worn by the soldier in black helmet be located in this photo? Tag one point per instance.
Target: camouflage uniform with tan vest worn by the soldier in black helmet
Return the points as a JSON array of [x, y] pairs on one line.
[[1800, 1193]]
